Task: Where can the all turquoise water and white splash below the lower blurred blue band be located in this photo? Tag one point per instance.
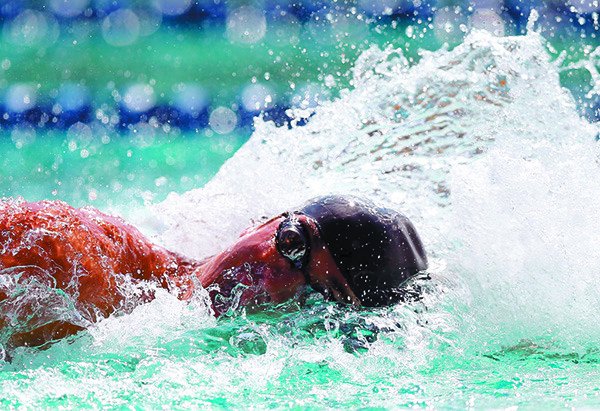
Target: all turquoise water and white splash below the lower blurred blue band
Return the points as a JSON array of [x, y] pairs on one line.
[[482, 148]]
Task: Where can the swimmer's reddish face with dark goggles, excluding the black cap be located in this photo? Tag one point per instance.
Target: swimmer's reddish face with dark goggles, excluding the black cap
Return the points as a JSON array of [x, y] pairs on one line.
[[274, 263]]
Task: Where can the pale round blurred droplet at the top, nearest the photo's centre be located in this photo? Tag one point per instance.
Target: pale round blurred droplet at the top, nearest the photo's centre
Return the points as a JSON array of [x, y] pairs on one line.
[[246, 25]]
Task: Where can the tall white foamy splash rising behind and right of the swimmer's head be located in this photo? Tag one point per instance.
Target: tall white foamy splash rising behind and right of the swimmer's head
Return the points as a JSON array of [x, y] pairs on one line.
[[480, 146]]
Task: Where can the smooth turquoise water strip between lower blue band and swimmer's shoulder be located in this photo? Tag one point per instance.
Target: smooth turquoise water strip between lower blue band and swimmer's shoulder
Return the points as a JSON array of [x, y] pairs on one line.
[[109, 169]]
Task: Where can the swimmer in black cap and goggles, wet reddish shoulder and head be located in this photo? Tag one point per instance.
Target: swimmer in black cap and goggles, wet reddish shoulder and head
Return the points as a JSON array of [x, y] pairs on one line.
[[56, 260]]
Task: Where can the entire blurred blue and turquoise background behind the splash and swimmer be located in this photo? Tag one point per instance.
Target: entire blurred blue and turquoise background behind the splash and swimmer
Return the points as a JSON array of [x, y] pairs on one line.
[[116, 102]]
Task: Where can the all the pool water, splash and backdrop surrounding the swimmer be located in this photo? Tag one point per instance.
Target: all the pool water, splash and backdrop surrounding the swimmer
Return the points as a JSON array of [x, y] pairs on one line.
[[478, 120]]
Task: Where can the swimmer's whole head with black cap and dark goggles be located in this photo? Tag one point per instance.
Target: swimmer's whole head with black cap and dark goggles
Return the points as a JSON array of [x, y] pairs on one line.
[[342, 246]]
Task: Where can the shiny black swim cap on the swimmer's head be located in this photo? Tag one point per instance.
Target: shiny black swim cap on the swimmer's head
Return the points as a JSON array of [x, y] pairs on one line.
[[376, 249]]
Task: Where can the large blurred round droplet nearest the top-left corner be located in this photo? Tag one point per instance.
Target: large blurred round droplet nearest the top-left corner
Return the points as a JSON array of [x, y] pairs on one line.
[[30, 28]]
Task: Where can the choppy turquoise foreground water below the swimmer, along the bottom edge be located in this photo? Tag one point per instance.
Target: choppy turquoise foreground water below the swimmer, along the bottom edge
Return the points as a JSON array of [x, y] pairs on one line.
[[300, 361]]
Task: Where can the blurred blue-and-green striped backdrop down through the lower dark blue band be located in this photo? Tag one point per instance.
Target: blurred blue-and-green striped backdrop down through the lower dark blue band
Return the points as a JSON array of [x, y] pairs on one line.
[[214, 65]]
